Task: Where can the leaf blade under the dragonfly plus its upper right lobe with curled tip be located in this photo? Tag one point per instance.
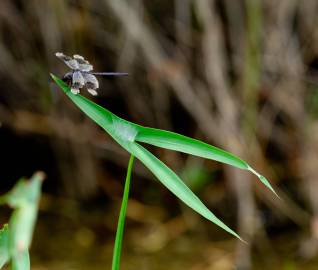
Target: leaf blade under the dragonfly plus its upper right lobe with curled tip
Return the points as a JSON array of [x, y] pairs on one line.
[[119, 128]]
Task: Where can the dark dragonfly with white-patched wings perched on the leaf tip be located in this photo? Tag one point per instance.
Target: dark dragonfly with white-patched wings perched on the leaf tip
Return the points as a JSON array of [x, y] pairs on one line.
[[82, 74]]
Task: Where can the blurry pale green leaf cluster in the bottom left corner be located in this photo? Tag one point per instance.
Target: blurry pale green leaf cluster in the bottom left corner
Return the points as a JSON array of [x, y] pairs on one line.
[[15, 238]]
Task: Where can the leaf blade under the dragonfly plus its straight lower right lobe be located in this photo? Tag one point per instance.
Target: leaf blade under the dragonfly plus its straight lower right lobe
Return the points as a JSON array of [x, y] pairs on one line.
[[124, 133]]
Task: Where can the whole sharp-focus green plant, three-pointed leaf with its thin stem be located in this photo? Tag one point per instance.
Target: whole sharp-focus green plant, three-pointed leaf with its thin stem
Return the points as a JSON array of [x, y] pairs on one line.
[[130, 136]]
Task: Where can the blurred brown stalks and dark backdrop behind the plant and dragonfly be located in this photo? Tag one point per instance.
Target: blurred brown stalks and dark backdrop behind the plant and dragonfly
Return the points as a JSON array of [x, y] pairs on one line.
[[241, 75]]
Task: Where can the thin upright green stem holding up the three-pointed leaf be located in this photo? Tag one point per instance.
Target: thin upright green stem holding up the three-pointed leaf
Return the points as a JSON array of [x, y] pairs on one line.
[[121, 219]]
